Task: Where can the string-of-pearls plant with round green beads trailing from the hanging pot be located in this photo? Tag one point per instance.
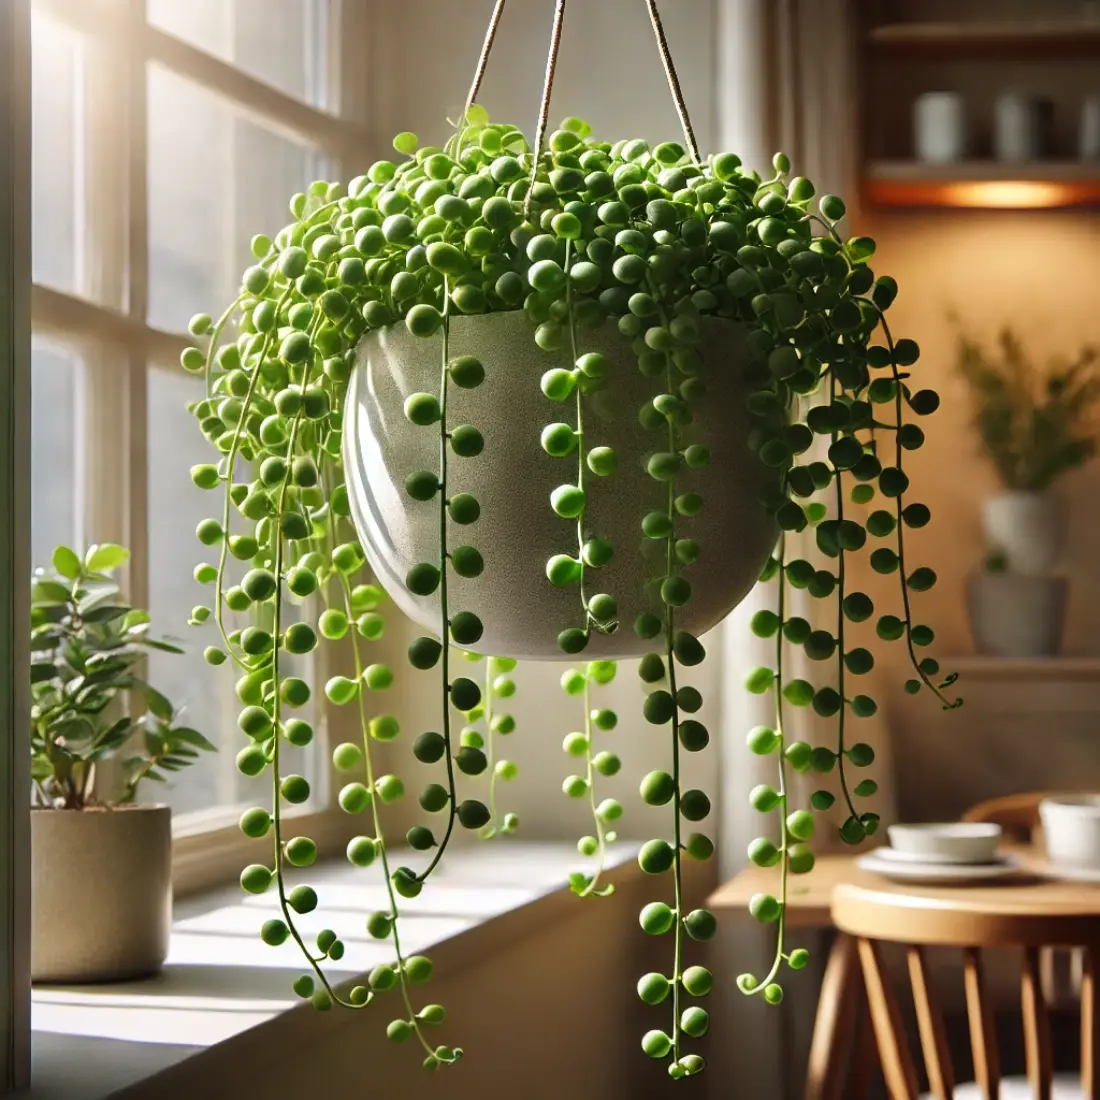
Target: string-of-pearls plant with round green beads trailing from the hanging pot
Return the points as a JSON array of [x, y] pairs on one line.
[[658, 245]]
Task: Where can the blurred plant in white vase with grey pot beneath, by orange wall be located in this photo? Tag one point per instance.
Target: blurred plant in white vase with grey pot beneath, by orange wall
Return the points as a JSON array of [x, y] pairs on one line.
[[1036, 424]]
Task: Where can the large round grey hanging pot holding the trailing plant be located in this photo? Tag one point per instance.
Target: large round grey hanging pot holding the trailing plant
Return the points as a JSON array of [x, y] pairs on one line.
[[513, 479]]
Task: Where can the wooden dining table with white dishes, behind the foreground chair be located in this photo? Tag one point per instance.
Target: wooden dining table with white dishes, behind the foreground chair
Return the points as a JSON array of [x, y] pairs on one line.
[[842, 1026]]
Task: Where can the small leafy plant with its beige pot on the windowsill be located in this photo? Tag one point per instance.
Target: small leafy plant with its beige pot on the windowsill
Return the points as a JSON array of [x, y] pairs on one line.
[[102, 868]]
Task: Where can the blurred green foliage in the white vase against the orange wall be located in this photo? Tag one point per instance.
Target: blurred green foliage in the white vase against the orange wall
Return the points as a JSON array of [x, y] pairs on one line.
[[1037, 424]]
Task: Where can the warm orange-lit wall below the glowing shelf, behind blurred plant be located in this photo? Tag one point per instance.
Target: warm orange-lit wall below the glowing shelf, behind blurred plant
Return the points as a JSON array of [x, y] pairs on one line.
[[1037, 271]]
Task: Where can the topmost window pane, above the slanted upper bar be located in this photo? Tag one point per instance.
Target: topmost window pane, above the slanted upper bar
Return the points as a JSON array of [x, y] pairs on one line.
[[281, 42]]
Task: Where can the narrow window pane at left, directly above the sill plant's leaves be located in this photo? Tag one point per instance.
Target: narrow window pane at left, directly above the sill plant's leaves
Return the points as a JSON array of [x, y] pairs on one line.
[[54, 381]]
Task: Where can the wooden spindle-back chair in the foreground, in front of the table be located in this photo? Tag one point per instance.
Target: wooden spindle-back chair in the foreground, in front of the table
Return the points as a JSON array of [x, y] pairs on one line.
[[976, 921]]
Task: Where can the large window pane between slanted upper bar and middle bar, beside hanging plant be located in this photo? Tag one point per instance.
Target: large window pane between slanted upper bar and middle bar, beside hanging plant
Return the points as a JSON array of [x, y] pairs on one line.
[[215, 181]]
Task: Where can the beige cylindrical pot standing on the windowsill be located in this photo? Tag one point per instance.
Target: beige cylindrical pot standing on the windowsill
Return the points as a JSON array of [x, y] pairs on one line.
[[102, 894]]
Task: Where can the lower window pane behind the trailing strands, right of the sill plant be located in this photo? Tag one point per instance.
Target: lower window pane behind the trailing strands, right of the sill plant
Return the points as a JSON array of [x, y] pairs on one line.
[[207, 695]]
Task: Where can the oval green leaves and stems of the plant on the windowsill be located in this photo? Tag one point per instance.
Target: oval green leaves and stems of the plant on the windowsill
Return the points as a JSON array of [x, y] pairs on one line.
[[87, 648]]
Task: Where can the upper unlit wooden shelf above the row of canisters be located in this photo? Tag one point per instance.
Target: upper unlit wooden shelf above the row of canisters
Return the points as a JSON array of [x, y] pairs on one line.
[[1038, 40]]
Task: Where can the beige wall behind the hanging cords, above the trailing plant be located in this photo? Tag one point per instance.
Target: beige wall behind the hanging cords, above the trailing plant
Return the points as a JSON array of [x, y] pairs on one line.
[[609, 71]]
